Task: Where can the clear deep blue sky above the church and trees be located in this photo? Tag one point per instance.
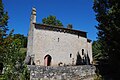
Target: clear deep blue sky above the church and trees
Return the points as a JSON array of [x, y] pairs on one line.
[[79, 13]]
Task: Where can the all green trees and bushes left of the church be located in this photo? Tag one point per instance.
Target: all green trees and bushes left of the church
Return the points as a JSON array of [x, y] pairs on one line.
[[10, 51]]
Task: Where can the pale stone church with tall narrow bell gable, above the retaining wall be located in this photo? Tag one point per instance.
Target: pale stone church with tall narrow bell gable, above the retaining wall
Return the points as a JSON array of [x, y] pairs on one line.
[[56, 46]]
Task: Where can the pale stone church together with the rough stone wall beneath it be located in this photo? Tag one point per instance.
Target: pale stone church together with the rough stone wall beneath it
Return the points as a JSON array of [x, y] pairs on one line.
[[54, 53]]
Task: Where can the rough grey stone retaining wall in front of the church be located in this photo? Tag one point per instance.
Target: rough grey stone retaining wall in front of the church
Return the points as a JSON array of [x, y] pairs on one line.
[[84, 72]]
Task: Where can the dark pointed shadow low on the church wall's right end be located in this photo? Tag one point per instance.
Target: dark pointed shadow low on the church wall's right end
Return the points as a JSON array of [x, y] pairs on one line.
[[82, 61]]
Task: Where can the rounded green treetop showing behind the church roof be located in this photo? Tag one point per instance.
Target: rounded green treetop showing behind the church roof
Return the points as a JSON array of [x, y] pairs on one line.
[[51, 20]]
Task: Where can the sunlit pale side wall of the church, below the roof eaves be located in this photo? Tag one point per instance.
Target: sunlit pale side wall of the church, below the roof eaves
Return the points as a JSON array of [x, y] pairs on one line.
[[58, 45]]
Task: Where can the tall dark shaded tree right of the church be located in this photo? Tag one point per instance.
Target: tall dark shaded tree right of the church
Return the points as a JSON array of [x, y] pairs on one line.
[[108, 17]]
